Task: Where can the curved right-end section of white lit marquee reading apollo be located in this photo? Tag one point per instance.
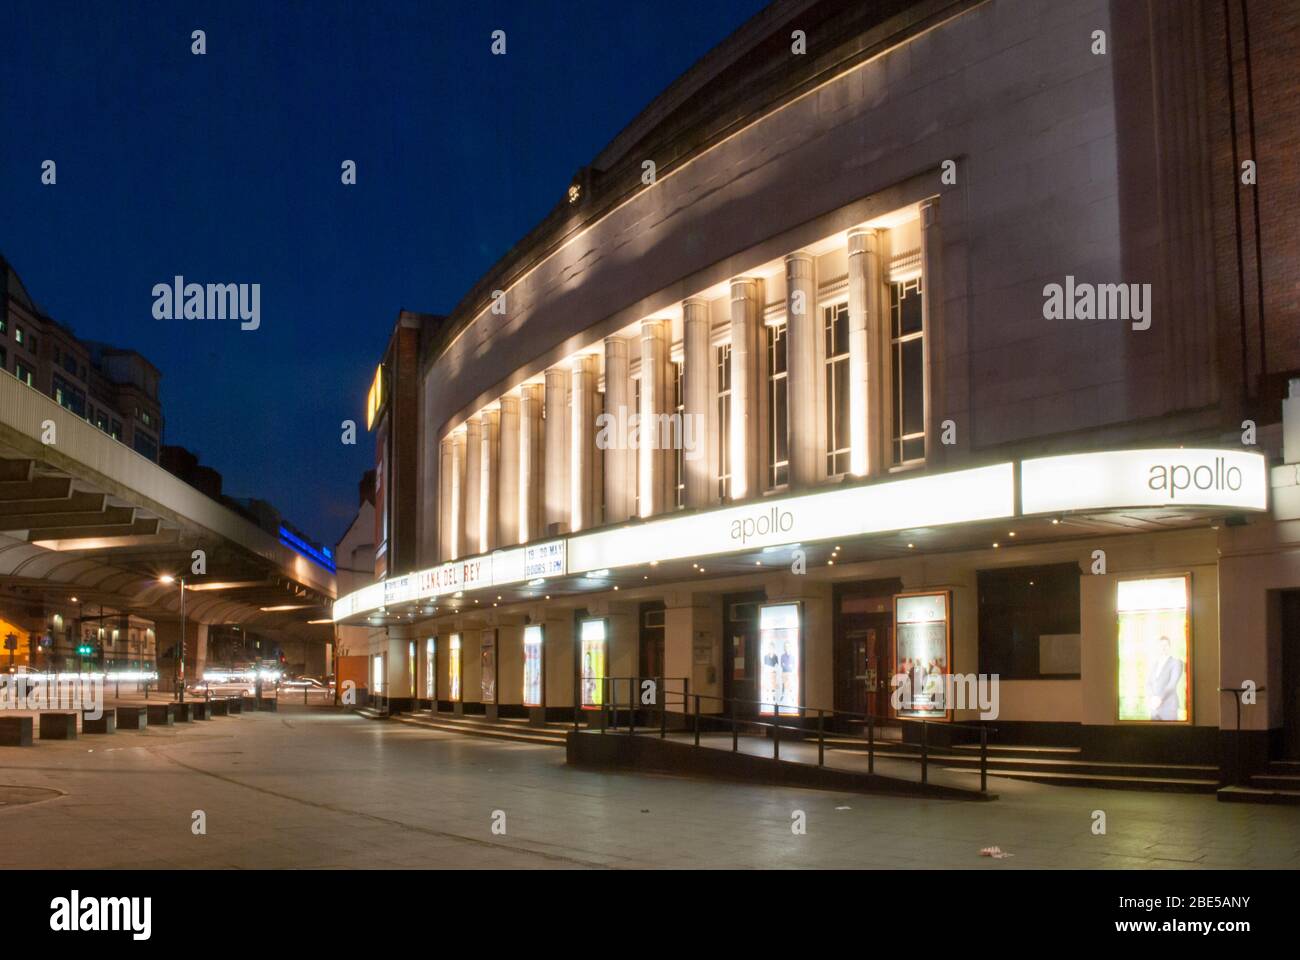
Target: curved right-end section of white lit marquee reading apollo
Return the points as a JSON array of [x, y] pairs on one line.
[[1229, 479]]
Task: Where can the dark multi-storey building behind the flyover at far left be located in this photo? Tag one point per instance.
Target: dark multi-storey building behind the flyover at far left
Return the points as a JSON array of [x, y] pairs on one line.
[[115, 390]]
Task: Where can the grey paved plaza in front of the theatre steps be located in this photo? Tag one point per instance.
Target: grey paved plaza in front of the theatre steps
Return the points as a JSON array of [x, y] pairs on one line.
[[319, 789]]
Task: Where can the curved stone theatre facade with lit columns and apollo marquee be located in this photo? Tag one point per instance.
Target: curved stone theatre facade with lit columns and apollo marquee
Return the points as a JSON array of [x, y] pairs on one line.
[[926, 374]]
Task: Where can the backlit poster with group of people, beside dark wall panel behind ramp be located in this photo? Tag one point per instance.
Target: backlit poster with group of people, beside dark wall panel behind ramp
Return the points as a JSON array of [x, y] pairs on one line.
[[922, 655]]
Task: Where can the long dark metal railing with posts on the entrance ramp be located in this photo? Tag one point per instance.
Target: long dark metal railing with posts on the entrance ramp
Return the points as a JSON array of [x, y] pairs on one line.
[[692, 720]]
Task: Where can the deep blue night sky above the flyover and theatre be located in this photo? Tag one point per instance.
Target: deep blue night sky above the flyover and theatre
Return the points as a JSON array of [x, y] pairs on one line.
[[226, 168]]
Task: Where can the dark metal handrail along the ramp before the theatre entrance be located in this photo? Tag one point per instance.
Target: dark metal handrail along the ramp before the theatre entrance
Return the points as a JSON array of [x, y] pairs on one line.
[[774, 723]]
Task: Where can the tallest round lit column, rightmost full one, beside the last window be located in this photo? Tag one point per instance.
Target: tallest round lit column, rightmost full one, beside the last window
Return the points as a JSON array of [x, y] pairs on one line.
[[866, 380]]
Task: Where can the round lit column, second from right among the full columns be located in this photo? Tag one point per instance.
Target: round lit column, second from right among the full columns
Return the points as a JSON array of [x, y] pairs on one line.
[[804, 401]]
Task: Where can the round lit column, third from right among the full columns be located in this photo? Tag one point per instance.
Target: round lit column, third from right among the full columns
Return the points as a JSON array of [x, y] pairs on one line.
[[747, 391]]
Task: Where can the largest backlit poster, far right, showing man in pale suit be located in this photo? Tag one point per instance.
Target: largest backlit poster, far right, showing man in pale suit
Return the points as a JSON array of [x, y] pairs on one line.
[[1155, 651]]
